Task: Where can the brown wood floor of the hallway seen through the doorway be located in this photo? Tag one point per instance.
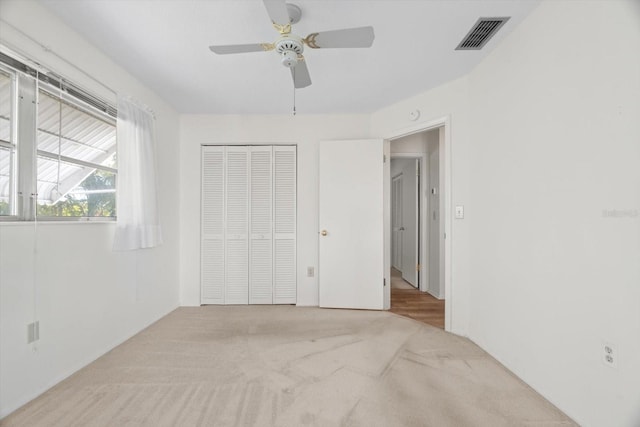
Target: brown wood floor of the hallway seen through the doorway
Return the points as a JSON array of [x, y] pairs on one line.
[[410, 302]]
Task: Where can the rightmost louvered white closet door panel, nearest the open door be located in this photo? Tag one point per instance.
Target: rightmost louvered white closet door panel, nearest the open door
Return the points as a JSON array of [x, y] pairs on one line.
[[284, 198]]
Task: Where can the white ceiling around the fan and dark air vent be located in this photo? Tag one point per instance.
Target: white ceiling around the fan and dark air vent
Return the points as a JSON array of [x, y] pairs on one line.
[[164, 43]]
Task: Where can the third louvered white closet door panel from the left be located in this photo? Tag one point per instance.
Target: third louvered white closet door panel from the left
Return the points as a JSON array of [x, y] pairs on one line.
[[261, 226]]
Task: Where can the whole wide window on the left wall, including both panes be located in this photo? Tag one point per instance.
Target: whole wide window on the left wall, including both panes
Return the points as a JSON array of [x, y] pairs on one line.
[[57, 147]]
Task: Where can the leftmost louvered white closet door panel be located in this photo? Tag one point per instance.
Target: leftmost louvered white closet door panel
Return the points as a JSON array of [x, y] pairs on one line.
[[212, 233]]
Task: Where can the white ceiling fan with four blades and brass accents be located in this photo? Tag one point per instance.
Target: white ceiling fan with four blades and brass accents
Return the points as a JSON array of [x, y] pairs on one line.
[[290, 46]]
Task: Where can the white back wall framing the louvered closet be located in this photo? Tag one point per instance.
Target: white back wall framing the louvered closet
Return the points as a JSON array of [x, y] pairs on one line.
[[305, 131]]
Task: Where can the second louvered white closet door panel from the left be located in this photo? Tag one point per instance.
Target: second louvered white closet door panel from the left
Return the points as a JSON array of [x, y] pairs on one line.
[[237, 224]]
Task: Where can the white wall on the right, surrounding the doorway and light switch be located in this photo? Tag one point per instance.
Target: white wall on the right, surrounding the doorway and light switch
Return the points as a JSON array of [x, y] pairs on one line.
[[544, 136]]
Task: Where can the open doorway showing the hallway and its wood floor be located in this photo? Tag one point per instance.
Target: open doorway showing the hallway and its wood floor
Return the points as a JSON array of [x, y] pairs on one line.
[[417, 226]]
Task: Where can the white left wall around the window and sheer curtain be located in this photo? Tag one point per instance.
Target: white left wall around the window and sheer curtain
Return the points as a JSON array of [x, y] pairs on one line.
[[87, 298]]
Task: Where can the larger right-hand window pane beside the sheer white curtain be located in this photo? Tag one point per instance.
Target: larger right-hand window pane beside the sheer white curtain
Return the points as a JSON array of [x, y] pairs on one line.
[[76, 160]]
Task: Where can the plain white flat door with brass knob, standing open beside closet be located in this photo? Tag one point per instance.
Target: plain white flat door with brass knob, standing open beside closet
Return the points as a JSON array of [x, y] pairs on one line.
[[351, 222]]
